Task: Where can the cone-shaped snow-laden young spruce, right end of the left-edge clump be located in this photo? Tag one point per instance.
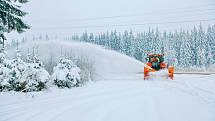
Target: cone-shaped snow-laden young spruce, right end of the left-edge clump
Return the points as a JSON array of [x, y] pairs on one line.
[[35, 77]]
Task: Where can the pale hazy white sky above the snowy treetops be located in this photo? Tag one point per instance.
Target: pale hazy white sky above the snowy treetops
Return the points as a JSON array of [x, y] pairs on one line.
[[75, 16]]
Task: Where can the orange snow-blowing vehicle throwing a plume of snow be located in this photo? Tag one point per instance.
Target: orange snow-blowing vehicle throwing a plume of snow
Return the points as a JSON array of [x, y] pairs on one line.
[[155, 62]]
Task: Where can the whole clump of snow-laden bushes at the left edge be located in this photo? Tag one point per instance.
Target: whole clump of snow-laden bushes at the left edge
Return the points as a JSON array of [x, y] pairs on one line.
[[20, 76]]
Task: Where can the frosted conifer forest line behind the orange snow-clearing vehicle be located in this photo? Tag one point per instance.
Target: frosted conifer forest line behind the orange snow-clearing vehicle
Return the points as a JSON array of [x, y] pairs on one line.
[[188, 48]]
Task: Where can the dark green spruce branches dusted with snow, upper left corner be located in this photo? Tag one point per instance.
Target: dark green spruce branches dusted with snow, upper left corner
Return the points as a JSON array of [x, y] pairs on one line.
[[10, 17]]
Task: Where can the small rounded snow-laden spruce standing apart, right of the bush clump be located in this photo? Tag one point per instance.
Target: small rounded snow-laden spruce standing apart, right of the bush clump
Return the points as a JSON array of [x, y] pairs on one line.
[[66, 74]]
